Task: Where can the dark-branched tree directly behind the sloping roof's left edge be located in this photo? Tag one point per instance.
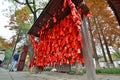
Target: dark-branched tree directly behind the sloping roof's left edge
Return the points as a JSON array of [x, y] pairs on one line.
[[35, 7]]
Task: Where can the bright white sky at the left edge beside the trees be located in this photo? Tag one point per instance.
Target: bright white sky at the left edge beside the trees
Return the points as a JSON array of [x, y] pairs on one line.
[[4, 32]]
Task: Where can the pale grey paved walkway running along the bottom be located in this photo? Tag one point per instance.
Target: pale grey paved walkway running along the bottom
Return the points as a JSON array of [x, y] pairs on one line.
[[6, 75]]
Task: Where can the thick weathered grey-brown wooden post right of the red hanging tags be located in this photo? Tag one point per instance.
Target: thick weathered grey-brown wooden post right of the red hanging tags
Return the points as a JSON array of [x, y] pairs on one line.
[[87, 52]]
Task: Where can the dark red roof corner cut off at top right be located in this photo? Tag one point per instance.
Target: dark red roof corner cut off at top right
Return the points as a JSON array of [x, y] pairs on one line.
[[115, 5]]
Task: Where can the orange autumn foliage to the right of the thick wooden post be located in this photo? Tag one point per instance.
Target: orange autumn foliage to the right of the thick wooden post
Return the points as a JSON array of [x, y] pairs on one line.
[[104, 19]]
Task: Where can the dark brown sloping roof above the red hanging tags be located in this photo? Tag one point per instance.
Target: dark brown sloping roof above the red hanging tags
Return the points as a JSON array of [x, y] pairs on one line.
[[54, 6]]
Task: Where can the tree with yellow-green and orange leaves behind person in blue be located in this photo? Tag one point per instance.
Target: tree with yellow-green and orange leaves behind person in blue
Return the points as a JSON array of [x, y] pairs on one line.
[[19, 22]]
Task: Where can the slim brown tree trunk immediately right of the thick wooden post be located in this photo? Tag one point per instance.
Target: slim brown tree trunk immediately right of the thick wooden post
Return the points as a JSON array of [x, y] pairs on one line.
[[93, 46]]
